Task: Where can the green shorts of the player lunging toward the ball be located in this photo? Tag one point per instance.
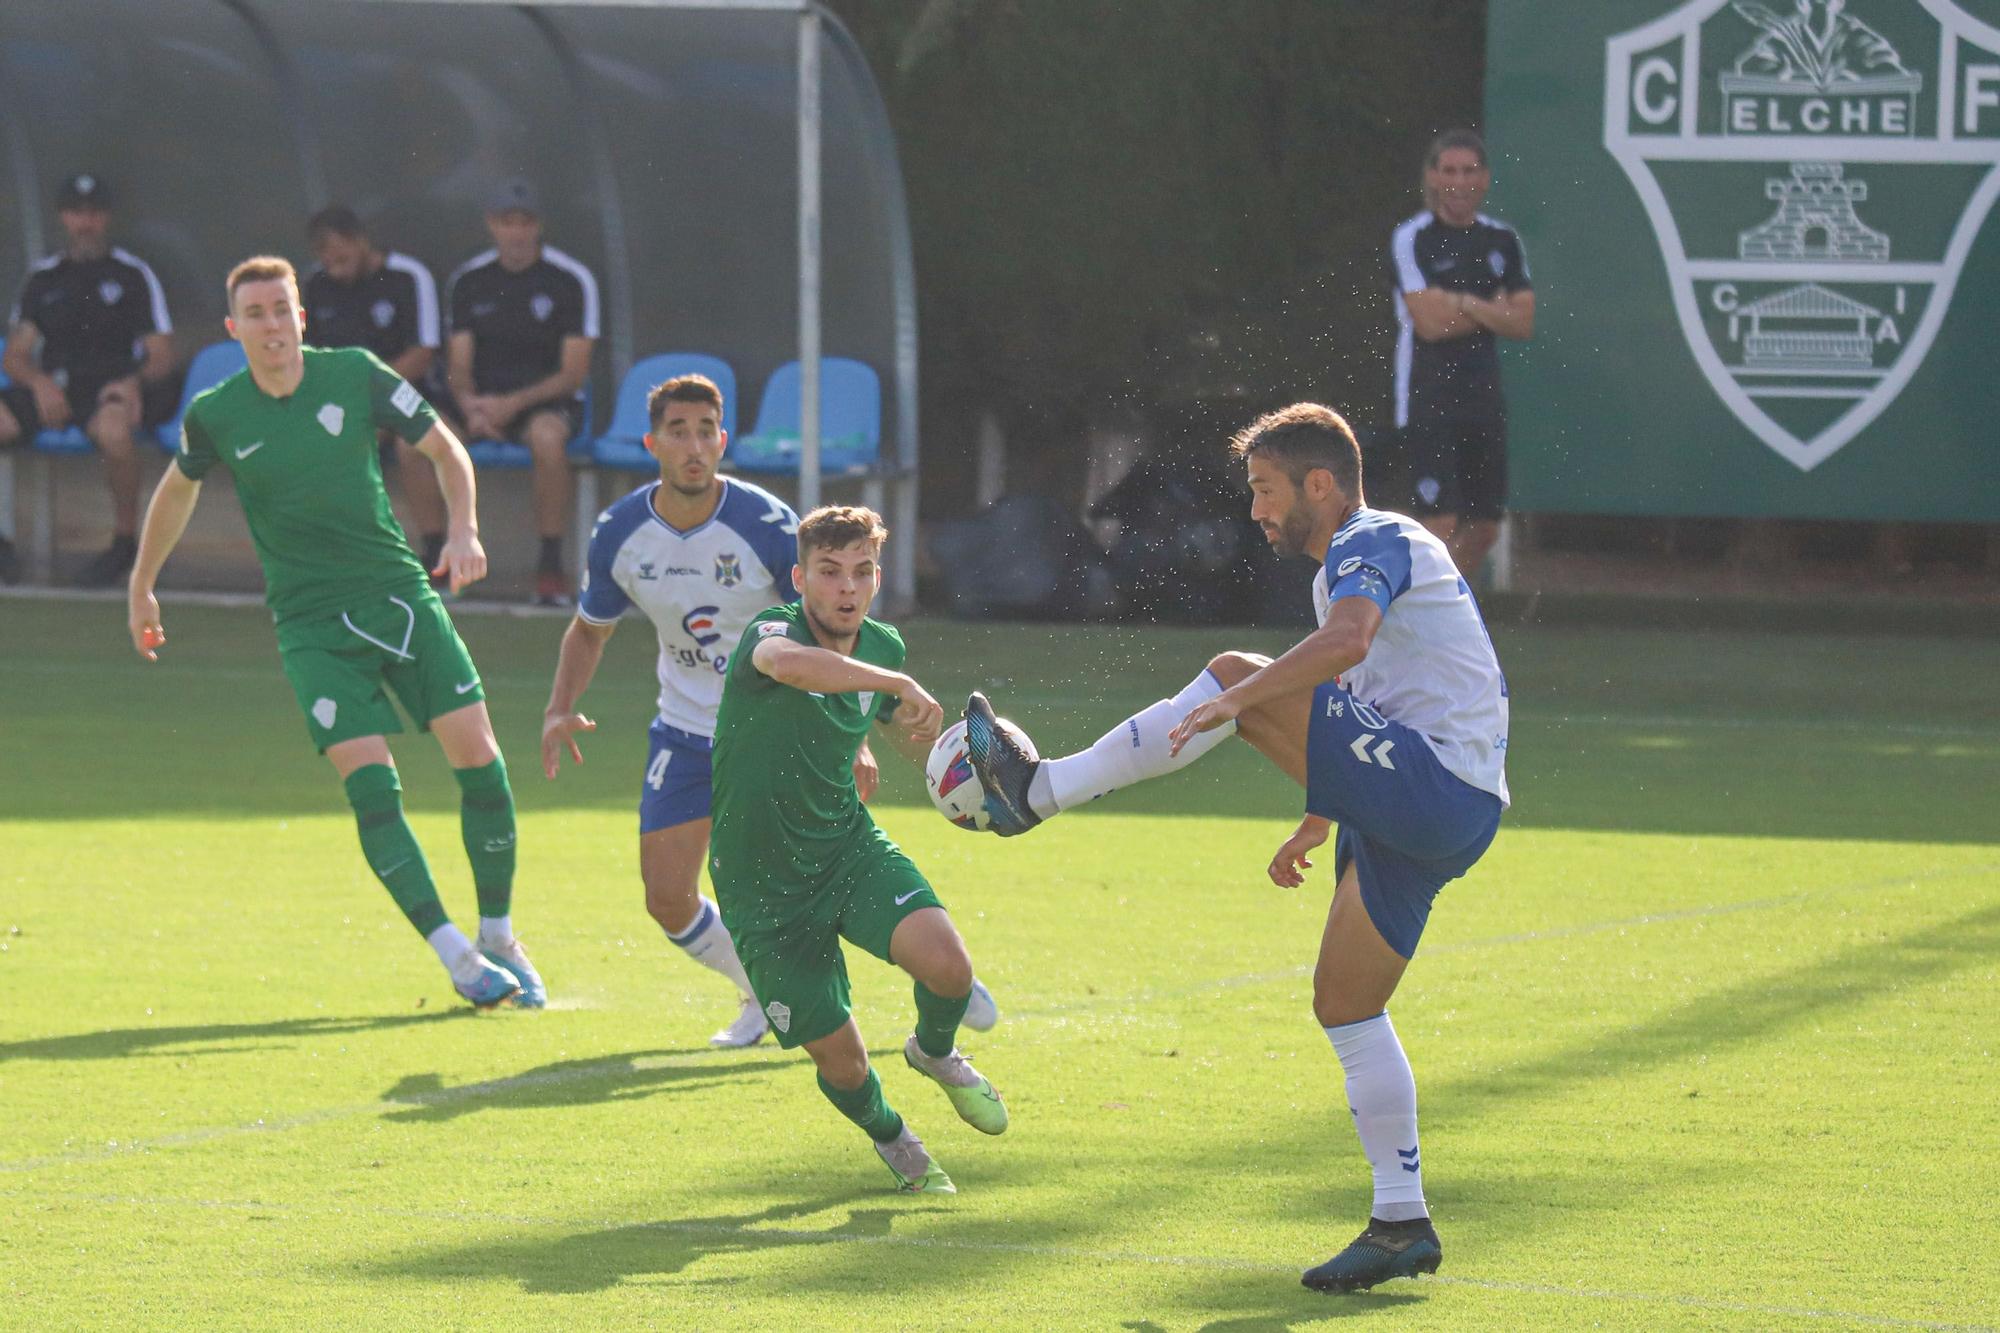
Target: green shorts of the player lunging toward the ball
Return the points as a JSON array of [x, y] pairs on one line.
[[791, 950]]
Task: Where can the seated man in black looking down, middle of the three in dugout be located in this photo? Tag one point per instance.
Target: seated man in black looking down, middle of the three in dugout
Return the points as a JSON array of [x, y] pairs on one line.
[[387, 303]]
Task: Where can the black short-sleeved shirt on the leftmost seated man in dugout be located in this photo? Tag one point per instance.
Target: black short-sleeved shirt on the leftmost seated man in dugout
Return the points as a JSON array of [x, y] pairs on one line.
[[93, 315]]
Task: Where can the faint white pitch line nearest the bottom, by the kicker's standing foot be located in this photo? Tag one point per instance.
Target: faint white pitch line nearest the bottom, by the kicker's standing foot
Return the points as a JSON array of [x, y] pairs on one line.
[[797, 1236]]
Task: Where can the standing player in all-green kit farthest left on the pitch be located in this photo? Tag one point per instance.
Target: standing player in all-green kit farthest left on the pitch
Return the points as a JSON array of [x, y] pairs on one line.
[[355, 609]]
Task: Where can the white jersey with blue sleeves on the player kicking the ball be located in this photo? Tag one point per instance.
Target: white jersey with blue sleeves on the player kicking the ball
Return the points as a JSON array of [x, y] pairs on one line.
[[1433, 663]]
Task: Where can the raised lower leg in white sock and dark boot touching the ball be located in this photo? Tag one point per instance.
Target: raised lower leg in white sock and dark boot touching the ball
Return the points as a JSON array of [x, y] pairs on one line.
[[1023, 792]]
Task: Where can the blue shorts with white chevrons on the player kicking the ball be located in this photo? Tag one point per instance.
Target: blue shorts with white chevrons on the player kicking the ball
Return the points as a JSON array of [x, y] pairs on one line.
[[1407, 824]]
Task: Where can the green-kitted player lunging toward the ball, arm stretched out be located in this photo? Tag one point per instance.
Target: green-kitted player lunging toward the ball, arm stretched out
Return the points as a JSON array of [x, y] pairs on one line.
[[799, 864]]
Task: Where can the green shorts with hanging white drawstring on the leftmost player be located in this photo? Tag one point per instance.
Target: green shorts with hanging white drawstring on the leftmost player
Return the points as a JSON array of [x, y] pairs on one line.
[[341, 663]]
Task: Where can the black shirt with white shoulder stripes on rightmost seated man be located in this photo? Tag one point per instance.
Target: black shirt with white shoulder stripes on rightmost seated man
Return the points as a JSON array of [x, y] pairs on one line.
[[519, 321]]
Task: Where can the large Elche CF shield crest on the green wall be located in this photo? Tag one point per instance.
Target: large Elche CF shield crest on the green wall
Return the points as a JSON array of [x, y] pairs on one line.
[[1817, 173]]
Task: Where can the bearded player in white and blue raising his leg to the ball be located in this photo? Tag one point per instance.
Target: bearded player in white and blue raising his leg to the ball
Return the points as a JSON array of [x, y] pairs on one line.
[[1393, 718]]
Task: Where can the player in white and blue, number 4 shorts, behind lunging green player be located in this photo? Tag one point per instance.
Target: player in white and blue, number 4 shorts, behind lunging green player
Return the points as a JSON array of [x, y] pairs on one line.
[[699, 555]]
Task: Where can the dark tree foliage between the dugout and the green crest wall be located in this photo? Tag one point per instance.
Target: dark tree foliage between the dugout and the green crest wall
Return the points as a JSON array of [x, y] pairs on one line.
[[1131, 209]]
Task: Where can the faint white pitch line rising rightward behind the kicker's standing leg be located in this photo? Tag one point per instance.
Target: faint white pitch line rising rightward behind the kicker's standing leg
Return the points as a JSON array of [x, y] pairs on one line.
[[479, 1092]]
